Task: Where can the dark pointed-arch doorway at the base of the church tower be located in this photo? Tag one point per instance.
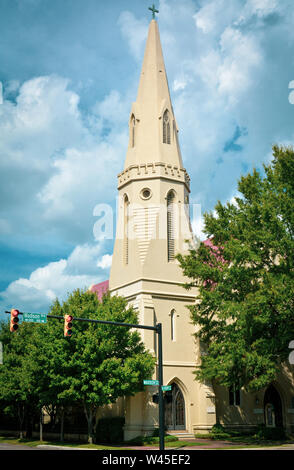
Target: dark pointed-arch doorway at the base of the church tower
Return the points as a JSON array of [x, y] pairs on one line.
[[174, 409]]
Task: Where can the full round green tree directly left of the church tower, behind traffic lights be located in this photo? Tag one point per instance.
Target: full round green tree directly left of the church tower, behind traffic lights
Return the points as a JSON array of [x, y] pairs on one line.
[[98, 363]]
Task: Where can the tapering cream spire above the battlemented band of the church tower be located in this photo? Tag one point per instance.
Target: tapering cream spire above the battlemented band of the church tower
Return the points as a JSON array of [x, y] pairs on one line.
[[153, 130]]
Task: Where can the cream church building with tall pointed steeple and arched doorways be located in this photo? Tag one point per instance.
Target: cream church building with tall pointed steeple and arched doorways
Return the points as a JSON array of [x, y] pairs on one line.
[[153, 225]]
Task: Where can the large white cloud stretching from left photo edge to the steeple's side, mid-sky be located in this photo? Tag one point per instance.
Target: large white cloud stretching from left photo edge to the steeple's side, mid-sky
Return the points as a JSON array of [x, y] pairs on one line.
[[61, 164]]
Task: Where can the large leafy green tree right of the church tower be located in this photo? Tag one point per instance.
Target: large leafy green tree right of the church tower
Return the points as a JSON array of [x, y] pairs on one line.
[[245, 278]]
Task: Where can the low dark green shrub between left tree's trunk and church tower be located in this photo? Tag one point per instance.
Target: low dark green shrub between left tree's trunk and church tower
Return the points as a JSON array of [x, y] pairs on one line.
[[110, 430]]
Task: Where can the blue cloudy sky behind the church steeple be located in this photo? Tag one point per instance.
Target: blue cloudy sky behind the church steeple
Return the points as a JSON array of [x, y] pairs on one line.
[[69, 71]]
